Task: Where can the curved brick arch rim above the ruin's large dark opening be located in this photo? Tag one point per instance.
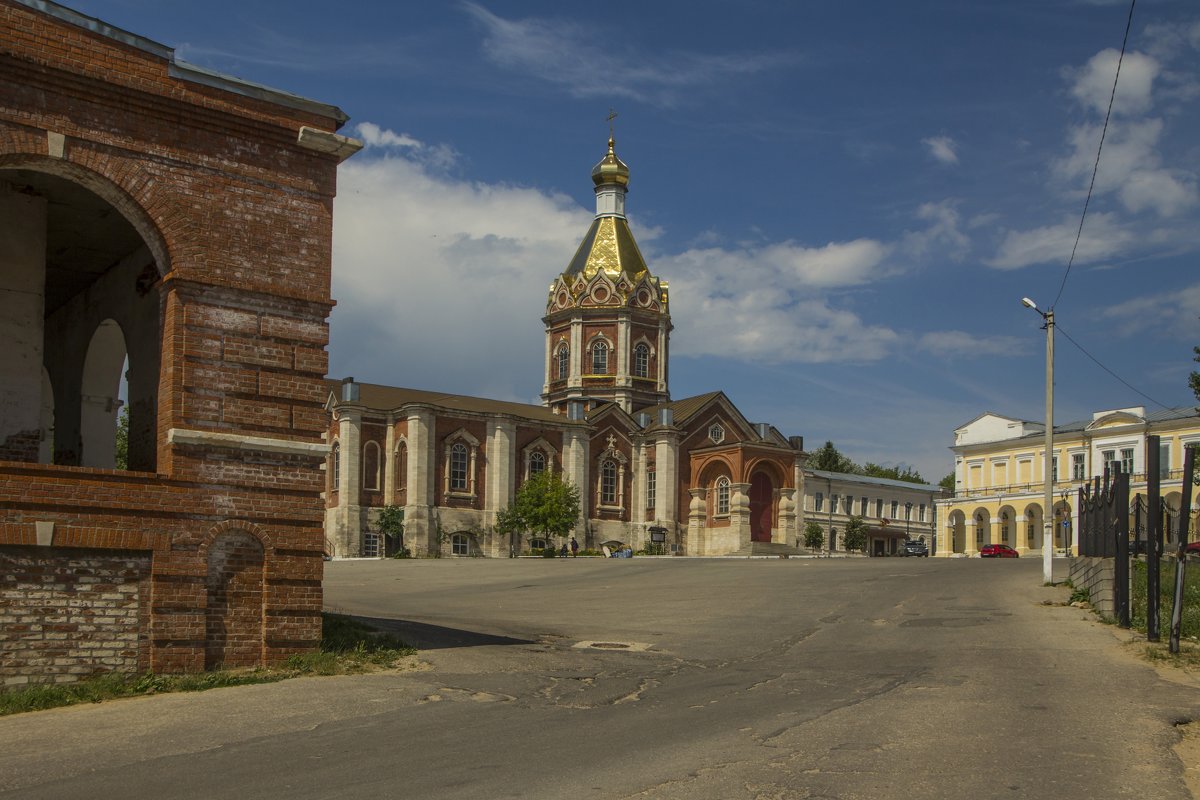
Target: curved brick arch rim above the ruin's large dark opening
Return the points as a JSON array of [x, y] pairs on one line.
[[124, 185]]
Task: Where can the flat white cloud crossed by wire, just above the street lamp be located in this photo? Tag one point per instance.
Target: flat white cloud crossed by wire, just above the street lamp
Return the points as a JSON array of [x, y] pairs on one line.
[[1103, 238]]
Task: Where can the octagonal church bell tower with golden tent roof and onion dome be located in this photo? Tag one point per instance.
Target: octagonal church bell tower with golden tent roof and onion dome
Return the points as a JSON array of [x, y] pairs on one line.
[[608, 320]]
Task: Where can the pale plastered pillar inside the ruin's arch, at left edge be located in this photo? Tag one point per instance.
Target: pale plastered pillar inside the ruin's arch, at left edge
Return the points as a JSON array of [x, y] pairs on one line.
[[22, 315]]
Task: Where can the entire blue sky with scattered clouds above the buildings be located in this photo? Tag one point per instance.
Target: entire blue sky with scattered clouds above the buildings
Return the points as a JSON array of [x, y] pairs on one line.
[[849, 200]]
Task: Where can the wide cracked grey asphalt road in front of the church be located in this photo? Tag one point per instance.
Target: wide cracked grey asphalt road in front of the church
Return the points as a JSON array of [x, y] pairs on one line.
[[862, 678]]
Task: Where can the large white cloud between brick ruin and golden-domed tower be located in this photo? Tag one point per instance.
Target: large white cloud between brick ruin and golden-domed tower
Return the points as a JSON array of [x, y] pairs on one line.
[[452, 264]]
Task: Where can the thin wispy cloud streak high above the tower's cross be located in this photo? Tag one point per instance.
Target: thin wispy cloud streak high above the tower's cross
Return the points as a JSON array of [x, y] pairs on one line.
[[590, 62]]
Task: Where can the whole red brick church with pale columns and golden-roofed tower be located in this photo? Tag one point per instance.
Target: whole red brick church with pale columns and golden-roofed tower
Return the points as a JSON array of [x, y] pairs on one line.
[[693, 474]]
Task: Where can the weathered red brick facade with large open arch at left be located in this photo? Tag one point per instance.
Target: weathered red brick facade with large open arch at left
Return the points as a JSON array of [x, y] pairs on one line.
[[235, 208]]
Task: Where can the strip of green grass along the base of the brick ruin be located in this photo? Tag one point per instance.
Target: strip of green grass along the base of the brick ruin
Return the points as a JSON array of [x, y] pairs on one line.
[[347, 647]]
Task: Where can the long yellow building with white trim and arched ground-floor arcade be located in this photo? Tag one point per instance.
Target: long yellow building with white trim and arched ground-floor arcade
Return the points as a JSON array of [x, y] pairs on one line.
[[999, 474]]
